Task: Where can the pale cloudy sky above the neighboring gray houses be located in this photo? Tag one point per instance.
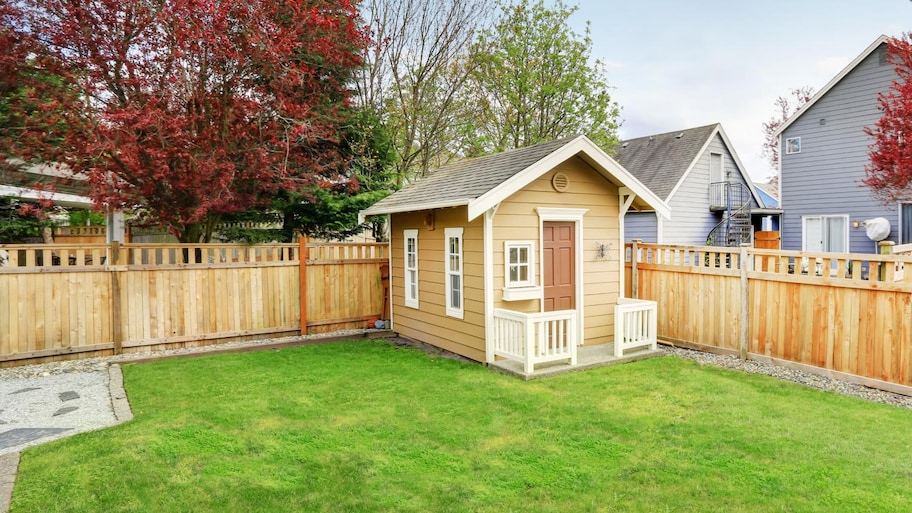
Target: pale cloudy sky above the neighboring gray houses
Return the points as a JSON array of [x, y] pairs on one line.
[[679, 64]]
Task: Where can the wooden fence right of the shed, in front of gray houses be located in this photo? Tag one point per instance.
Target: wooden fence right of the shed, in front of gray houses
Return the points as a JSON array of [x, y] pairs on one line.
[[846, 315]]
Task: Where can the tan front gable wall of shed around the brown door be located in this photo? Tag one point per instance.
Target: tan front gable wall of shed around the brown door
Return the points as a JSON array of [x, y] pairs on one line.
[[517, 219]]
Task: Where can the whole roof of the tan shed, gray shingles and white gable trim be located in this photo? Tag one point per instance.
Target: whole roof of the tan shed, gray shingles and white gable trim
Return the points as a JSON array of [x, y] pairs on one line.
[[483, 182]]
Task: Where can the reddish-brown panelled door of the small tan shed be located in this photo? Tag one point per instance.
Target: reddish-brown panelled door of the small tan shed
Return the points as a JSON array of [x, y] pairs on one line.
[[560, 266]]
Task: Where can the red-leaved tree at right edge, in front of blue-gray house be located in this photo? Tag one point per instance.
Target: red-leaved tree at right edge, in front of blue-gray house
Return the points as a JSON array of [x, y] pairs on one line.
[[889, 172]]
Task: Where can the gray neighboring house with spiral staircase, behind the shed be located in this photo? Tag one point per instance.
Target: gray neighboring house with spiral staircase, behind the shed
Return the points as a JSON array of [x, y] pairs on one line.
[[699, 175]]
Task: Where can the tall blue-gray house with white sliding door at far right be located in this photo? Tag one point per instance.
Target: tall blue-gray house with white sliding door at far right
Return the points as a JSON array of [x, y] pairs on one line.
[[823, 153]]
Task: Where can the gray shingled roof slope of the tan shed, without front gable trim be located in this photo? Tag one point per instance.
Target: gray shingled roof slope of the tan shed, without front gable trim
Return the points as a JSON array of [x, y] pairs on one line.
[[458, 182]]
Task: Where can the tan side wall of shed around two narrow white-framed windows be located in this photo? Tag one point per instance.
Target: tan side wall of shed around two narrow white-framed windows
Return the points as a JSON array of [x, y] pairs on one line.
[[429, 323]]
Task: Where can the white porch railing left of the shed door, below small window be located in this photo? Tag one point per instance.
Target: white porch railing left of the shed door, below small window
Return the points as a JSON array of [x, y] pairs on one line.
[[532, 338]]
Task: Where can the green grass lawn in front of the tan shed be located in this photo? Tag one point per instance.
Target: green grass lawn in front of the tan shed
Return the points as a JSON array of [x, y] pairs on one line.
[[367, 426]]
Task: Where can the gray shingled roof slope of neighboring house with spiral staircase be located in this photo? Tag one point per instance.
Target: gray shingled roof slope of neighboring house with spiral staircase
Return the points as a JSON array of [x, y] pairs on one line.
[[659, 161]]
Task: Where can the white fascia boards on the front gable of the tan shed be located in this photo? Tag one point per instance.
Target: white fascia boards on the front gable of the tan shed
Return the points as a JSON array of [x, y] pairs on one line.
[[580, 145]]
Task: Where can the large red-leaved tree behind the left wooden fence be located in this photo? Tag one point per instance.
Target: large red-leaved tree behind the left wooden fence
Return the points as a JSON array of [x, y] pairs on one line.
[[193, 108]]
